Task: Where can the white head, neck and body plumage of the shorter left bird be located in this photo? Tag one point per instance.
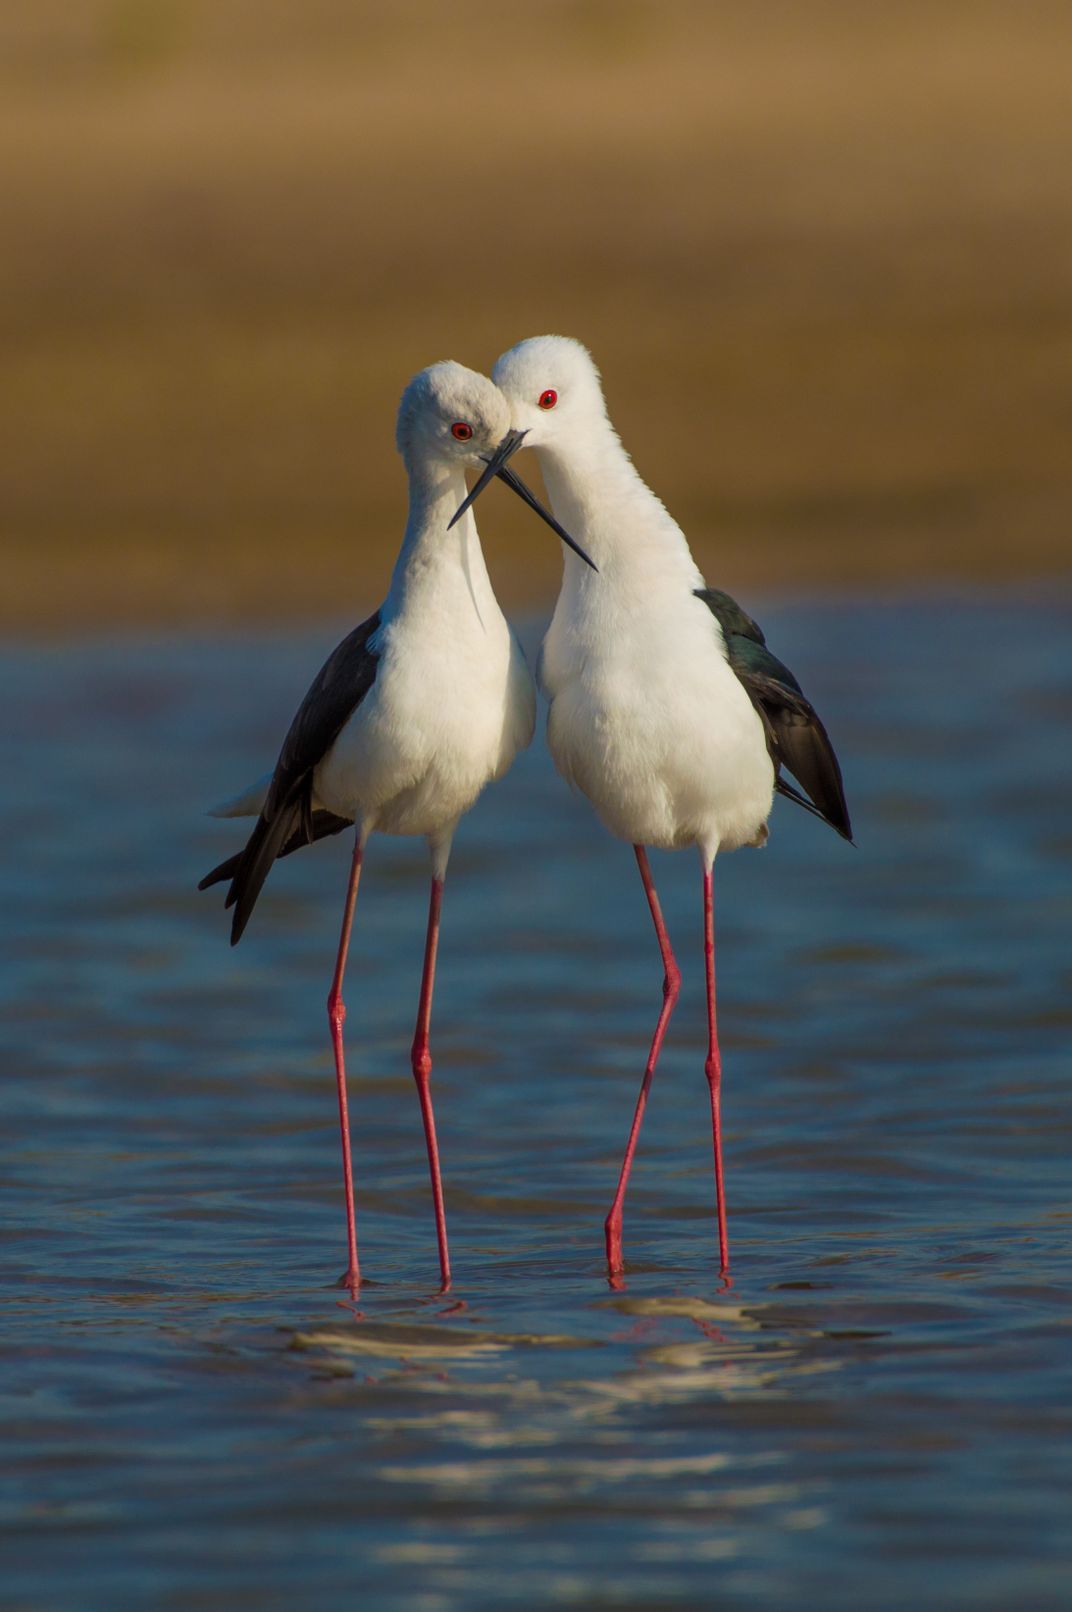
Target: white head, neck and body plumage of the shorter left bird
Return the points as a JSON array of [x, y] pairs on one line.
[[454, 699]]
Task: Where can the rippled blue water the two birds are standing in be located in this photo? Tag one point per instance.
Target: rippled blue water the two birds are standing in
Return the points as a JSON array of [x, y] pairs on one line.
[[876, 1415]]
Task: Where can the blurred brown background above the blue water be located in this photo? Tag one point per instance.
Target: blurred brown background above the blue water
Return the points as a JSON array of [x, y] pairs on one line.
[[821, 251]]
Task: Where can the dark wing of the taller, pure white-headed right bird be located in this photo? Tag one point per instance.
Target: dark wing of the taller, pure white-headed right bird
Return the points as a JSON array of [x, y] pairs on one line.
[[796, 736]]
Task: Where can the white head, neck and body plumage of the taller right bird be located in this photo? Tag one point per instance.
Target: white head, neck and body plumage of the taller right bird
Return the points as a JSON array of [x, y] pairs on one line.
[[646, 718]]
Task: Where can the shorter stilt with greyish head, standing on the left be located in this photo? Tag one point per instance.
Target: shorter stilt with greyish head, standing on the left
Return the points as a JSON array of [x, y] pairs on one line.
[[413, 713]]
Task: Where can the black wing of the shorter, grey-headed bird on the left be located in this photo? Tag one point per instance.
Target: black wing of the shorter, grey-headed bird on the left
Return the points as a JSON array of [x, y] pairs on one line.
[[288, 820]]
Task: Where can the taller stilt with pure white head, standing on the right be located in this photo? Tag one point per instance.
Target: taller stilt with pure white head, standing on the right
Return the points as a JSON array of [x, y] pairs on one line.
[[667, 708]]
